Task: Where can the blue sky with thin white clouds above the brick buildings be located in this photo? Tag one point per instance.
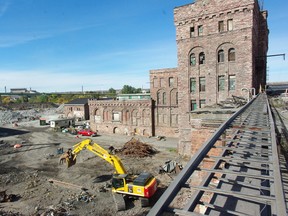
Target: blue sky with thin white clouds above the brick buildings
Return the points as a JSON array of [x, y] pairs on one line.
[[62, 45]]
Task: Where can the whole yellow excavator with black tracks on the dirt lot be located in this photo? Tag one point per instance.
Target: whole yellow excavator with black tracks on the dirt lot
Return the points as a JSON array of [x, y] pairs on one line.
[[142, 186]]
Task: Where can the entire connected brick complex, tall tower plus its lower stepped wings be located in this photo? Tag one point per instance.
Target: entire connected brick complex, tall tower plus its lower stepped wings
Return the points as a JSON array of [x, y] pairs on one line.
[[222, 47]]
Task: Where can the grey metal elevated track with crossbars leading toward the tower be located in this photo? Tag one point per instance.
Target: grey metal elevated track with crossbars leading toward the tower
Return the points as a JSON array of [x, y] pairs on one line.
[[244, 178]]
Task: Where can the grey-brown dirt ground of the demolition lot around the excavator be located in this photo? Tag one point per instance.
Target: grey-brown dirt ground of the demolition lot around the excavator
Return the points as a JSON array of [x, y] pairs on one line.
[[40, 186]]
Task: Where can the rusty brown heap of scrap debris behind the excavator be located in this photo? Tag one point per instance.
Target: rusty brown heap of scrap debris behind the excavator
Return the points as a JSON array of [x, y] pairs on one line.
[[136, 148]]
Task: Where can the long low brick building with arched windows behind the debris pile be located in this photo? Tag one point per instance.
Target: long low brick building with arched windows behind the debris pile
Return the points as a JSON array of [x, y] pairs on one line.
[[124, 116]]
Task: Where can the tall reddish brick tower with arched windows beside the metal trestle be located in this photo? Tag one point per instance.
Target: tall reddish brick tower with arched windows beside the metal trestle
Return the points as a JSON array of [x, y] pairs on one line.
[[222, 47]]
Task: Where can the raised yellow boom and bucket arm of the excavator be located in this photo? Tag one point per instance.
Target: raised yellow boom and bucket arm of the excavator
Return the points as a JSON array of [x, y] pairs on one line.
[[99, 151]]
